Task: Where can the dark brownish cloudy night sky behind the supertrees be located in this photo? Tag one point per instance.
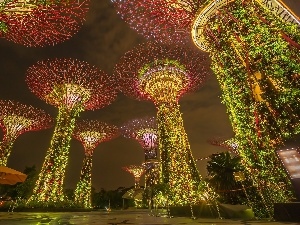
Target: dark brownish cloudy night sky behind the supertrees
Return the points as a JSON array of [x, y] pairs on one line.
[[103, 39]]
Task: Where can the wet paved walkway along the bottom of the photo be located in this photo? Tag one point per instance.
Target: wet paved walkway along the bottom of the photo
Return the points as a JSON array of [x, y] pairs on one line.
[[130, 217]]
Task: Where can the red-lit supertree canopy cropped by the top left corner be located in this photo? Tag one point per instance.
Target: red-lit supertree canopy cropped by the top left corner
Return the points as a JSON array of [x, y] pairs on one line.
[[41, 22]]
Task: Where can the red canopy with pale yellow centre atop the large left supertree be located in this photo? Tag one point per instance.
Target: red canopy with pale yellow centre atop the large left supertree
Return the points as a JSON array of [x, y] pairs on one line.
[[67, 82]]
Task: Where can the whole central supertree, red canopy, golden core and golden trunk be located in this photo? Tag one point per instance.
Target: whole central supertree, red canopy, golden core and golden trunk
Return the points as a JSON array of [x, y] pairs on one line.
[[163, 74]]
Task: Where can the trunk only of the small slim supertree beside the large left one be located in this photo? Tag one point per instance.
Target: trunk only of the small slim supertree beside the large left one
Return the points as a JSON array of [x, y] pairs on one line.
[[84, 186]]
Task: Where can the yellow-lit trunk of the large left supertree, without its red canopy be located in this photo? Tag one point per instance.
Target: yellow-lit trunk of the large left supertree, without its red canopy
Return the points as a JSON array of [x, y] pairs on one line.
[[54, 166]]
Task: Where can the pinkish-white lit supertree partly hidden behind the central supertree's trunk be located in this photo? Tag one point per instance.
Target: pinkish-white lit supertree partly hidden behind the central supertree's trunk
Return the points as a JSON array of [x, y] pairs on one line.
[[145, 131]]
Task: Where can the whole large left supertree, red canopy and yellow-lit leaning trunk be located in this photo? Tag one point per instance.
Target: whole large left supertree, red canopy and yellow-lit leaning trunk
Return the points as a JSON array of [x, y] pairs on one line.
[[73, 86]]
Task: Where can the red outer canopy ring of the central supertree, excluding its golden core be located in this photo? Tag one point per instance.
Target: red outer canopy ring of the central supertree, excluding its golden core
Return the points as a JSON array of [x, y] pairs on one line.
[[138, 63]]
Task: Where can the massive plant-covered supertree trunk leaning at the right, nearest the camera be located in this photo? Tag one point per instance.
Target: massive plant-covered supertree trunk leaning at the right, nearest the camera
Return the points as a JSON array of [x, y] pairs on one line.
[[257, 65]]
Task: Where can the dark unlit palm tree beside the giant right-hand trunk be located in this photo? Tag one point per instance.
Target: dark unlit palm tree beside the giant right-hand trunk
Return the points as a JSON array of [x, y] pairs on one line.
[[221, 169]]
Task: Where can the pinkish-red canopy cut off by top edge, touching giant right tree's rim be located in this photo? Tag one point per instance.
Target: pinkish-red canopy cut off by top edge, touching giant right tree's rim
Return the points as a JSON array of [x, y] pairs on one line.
[[166, 21]]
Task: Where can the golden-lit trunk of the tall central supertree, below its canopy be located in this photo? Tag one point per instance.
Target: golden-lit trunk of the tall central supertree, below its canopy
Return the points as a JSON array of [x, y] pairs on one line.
[[178, 168]]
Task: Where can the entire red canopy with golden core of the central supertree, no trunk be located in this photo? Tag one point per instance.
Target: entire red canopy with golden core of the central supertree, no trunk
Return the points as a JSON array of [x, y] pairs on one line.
[[160, 73]]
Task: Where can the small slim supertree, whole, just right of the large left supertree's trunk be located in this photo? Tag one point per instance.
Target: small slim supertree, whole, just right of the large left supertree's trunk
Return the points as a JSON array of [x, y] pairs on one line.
[[90, 133]]
